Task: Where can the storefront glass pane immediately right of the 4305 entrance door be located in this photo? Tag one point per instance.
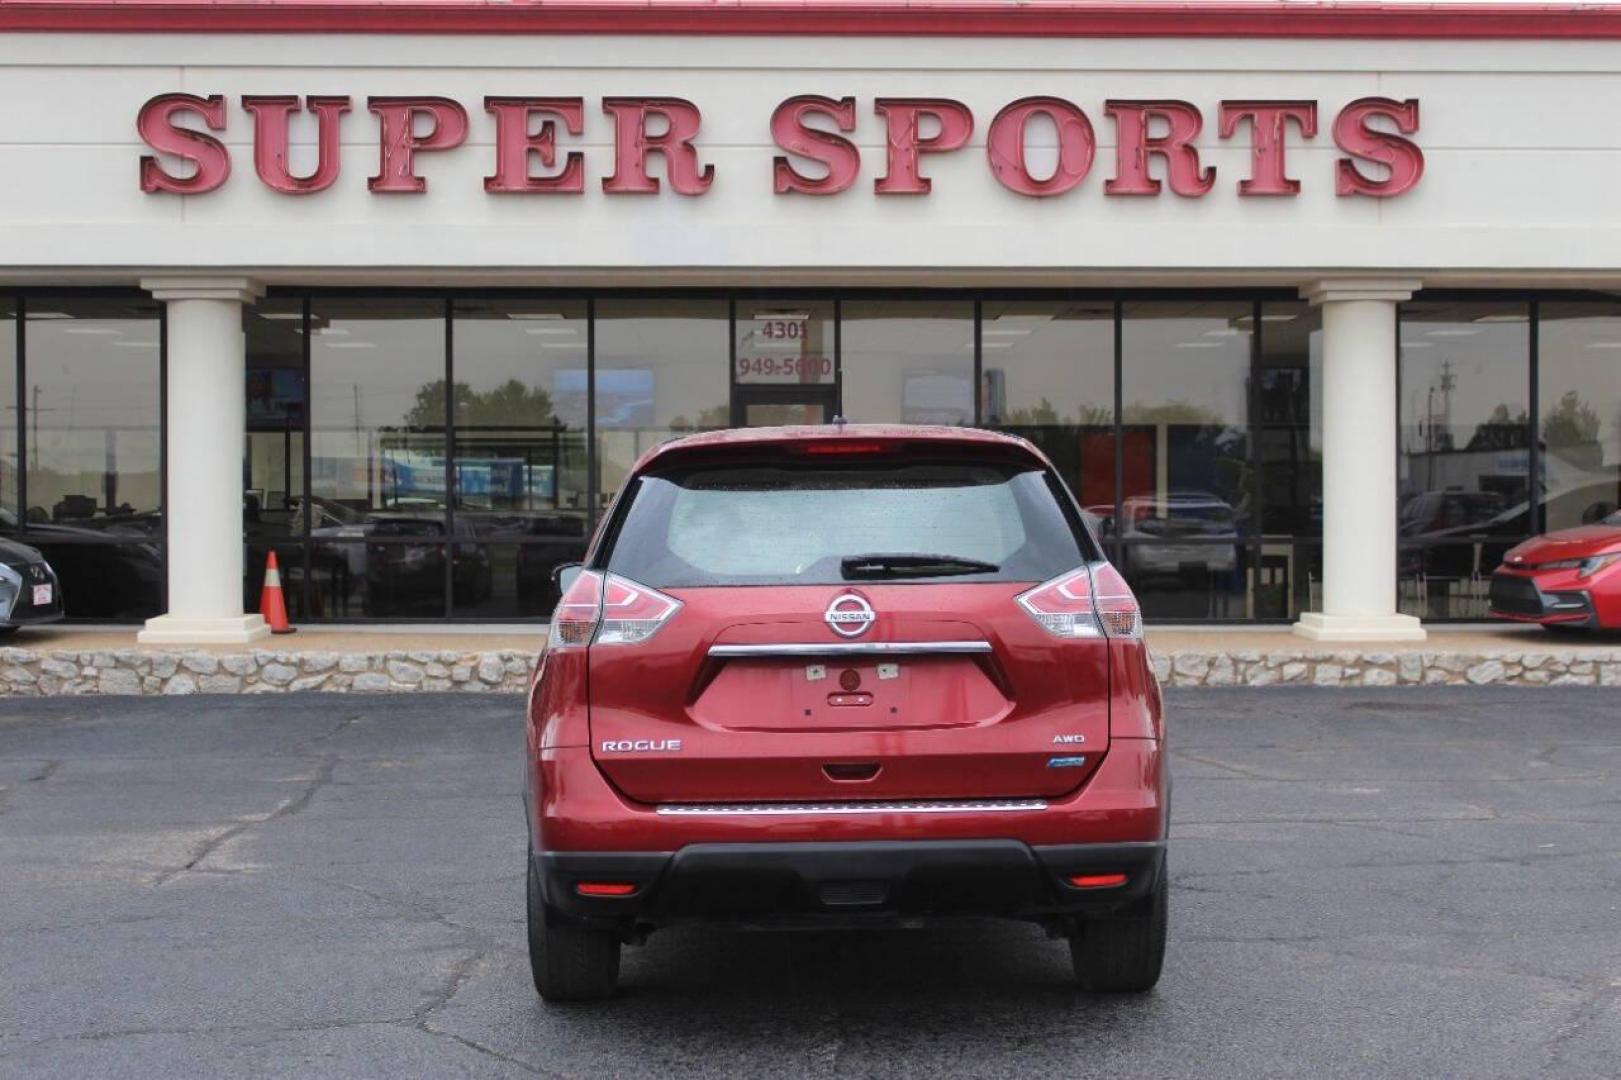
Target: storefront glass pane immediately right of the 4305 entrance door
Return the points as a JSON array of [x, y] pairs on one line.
[[909, 361]]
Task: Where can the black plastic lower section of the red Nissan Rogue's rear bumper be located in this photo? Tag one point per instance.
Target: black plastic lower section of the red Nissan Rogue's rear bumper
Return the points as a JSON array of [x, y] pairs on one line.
[[870, 881]]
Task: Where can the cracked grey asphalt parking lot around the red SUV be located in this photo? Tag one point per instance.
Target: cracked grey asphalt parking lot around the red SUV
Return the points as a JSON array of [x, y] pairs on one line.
[[1366, 883]]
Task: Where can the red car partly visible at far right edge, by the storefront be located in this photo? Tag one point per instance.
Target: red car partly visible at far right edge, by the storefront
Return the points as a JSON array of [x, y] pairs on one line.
[[1563, 580]]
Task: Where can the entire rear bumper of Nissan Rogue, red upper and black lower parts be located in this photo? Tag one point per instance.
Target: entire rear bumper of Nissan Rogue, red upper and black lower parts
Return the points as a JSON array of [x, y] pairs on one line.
[[858, 867]]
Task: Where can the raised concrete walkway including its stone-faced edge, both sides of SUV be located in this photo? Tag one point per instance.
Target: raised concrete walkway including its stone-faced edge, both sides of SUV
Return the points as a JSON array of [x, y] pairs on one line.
[[370, 659]]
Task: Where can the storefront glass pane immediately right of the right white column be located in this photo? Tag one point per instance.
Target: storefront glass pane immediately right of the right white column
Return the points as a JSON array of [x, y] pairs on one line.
[[1465, 465]]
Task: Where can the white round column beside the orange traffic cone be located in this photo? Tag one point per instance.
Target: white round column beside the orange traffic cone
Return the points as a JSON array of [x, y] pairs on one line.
[[207, 444]]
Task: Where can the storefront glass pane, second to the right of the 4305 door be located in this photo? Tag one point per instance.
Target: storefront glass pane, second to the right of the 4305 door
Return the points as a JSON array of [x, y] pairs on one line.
[[1048, 375]]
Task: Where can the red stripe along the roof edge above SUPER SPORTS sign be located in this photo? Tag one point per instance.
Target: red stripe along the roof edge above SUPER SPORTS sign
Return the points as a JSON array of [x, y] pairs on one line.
[[962, 19]]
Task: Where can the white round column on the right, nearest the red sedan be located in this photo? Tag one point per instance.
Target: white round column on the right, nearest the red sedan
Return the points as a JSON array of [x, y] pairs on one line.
[[1359, 463]]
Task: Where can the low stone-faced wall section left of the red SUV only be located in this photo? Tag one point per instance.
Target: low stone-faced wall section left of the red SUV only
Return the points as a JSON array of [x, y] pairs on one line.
[[27, 672]]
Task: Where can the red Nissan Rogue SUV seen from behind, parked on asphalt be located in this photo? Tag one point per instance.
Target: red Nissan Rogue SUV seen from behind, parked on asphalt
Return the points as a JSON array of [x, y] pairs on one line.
[[845, 677]]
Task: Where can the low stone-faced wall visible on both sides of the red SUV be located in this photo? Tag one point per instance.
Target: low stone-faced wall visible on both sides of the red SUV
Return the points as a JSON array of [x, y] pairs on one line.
[[27, 672]]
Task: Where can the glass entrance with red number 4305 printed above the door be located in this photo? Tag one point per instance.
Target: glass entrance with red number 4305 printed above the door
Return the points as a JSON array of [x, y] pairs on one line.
[[784, 364]]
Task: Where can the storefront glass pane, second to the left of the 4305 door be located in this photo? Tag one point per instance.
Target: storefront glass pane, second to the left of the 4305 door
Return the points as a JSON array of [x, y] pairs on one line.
[[523, 500]]
